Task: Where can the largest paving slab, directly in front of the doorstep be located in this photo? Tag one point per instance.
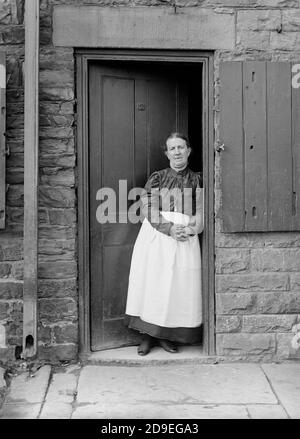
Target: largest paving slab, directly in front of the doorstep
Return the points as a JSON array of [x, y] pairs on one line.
[[186, 384]]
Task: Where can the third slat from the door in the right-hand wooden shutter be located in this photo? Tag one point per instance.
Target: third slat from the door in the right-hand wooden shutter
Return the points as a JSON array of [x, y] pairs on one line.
[[279, 146]]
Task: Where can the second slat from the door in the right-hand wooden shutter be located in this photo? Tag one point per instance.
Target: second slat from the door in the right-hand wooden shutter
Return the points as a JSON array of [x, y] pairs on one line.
[[254, 98]]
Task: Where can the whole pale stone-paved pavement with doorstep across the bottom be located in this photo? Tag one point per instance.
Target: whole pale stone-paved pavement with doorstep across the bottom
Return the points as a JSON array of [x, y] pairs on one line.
[[118, 384]]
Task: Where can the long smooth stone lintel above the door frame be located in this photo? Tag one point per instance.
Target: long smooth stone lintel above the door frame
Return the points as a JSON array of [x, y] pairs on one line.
[[140, 27]]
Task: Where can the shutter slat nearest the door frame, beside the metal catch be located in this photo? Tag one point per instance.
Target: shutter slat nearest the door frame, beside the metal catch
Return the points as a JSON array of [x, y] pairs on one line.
[[231, 134]]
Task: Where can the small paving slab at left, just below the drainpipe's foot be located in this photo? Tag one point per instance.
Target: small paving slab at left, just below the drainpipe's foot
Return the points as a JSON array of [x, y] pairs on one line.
[[27, 389]]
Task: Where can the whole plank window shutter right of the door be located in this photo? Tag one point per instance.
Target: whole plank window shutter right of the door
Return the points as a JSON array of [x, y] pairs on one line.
[[259, 127]]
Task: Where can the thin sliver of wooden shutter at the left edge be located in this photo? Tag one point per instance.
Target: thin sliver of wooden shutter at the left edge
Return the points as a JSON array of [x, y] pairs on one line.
[[2, 138]]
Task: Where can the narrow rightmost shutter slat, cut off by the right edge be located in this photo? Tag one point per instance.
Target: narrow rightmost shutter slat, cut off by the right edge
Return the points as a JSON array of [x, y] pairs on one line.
[[296, 157]]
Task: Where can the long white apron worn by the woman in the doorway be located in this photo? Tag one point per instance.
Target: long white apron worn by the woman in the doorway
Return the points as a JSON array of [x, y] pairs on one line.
[[165, 277]]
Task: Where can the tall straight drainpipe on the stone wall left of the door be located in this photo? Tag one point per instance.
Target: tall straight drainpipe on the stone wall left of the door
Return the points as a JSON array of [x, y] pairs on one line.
[[31, 142]]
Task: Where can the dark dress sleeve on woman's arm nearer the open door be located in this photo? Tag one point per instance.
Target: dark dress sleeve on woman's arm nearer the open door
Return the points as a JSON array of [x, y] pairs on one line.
[[150, 205]]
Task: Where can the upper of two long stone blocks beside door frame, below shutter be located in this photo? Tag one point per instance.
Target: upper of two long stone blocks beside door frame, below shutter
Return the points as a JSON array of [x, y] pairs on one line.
[[230, 283]]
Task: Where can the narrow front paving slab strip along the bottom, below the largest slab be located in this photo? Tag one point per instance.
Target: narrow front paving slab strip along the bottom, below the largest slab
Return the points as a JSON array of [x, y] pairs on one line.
[[157, 411]]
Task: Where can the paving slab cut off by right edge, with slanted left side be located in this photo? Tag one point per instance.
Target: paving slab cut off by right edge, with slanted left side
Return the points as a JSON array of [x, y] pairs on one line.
[[285, 380]]
